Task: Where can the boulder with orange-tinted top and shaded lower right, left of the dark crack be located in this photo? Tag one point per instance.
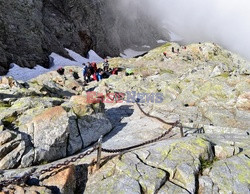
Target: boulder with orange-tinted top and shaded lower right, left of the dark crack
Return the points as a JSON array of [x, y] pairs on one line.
[[49, 131]]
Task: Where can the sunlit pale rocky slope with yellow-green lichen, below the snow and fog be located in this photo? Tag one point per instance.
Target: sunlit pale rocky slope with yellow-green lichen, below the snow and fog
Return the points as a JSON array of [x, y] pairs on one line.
[[49, 119]]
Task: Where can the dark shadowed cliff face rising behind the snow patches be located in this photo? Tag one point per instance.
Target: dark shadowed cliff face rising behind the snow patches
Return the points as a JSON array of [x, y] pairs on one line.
[[31, 30]]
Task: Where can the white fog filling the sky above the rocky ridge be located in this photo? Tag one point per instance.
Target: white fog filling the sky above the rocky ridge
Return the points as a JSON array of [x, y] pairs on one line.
[[226, 22]]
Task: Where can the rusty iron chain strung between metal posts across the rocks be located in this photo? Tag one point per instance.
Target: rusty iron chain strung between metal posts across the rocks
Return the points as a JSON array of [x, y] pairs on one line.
[[25, 177]]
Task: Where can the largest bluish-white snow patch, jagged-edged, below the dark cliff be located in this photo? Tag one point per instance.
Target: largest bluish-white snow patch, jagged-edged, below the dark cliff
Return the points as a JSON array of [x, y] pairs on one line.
[[26, 74]]
